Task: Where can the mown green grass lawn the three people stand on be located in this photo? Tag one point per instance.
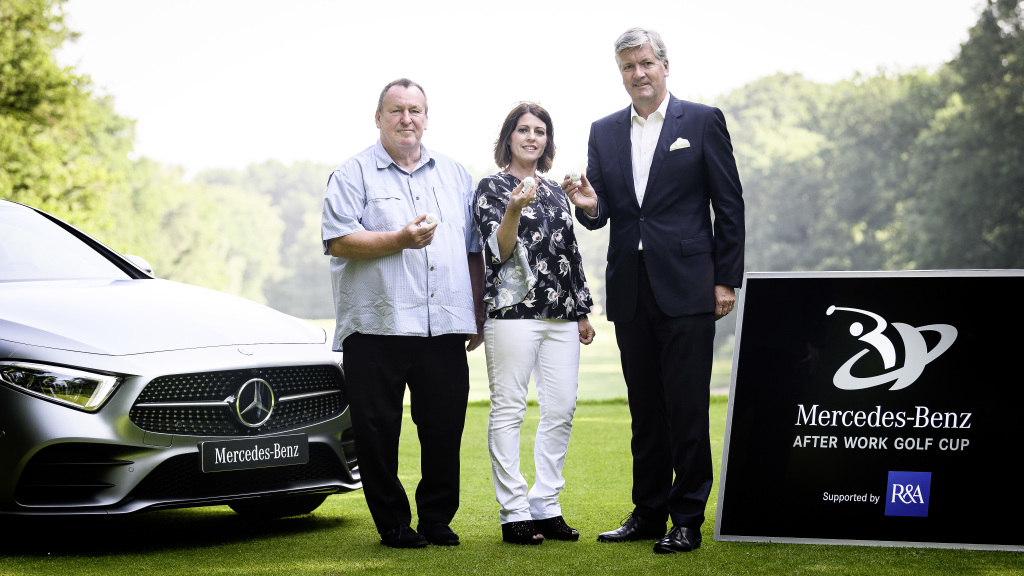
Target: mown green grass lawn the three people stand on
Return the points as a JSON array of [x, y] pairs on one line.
[[339, 538]]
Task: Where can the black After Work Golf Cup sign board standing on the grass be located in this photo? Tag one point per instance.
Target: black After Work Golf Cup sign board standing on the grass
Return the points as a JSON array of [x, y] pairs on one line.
[[877, 409]]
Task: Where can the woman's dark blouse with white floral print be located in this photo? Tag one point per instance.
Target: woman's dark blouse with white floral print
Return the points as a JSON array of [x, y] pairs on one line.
[[543, 278]]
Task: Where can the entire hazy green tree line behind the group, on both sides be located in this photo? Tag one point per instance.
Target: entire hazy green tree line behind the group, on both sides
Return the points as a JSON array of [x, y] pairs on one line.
[[910, 171]]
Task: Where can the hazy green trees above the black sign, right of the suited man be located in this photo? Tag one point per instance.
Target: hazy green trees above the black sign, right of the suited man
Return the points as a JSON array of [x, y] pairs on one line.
[[895, 172]]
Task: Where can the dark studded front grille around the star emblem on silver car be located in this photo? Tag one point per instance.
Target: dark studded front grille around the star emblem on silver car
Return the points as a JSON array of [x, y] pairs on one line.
[[204, 404]]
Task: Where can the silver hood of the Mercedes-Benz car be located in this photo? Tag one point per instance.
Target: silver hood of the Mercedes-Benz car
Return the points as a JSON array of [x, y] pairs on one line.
[[125, 317]]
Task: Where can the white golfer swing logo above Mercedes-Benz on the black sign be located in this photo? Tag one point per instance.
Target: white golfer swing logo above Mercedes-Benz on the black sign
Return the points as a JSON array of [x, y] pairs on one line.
[[917, 354]]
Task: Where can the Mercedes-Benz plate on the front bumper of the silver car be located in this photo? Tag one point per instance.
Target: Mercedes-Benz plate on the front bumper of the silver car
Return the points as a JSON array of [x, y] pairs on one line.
[[254, 454]]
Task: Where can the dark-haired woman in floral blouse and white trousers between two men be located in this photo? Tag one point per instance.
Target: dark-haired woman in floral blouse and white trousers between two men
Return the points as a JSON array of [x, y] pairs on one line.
[[538, 302]]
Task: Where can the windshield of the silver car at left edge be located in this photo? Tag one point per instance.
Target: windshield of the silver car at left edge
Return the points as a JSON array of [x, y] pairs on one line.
[[32, 248]]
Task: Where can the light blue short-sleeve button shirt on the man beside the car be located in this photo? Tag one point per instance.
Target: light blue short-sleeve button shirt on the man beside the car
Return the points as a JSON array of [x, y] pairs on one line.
[[424, 293]]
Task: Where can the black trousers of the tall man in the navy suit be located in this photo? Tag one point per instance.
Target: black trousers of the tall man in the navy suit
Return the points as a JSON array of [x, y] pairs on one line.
[[667, 364]]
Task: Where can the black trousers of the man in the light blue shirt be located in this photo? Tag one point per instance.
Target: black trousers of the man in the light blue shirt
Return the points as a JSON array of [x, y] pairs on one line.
[[377, 371]]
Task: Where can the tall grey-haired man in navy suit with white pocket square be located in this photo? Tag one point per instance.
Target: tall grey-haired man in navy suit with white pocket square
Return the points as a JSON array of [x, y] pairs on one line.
[[653, 171]]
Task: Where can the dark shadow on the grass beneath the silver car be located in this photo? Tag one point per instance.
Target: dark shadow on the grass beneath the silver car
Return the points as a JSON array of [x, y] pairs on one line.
[[189, 529]]
